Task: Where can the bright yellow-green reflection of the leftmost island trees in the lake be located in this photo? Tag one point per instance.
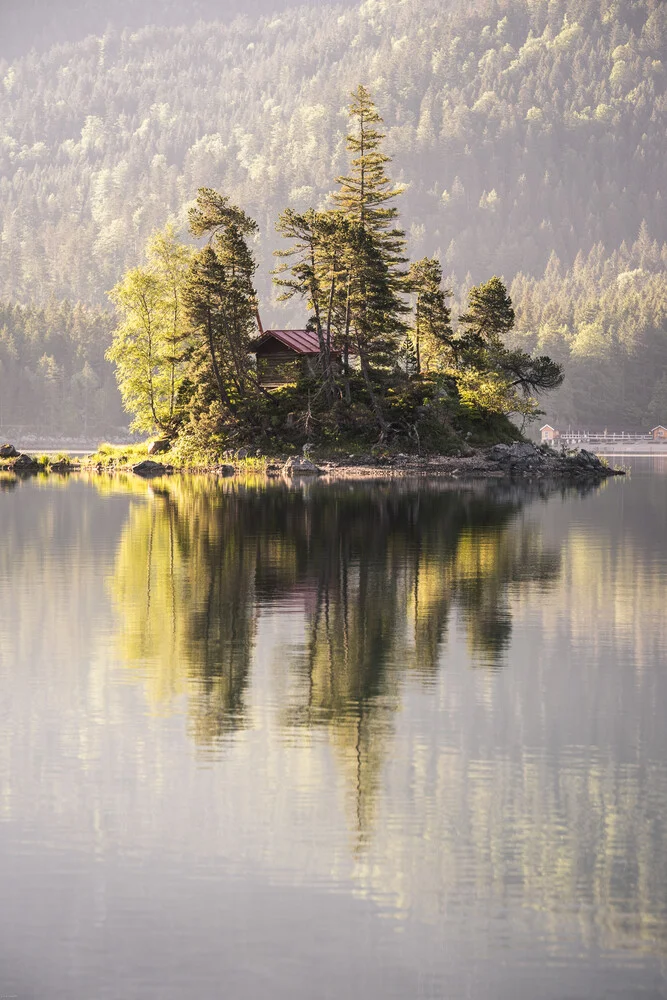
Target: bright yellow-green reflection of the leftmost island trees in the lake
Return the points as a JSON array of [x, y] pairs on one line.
[[184, 583]]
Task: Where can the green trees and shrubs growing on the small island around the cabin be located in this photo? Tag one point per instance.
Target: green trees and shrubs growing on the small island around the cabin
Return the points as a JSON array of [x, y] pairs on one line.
[[346, 264]]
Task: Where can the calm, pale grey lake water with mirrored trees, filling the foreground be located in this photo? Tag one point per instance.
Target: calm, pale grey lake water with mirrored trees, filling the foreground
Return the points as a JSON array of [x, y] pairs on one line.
[[333, 742]]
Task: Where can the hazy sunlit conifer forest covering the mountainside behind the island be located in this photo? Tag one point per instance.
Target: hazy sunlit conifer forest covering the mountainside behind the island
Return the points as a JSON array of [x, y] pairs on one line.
[[529, 135]]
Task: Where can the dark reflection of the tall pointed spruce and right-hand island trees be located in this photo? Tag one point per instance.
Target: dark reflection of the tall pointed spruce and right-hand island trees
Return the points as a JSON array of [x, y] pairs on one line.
[[384, 569]]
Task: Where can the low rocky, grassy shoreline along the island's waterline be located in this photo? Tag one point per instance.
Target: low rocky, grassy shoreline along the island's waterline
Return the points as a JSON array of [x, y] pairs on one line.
[[521, 460]]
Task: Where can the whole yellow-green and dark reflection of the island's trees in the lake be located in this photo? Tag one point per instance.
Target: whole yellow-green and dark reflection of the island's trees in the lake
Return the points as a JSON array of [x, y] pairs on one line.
[[375, 573]]
